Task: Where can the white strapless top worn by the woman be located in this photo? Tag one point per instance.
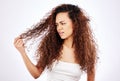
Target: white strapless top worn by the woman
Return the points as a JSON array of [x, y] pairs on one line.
[[64, 71]]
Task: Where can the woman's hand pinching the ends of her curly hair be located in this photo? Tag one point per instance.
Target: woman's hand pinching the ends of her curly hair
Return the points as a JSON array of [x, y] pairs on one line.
[[19, 44]]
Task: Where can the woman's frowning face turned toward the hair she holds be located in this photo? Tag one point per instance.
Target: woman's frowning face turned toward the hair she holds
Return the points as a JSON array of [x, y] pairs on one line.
[[64, 25]]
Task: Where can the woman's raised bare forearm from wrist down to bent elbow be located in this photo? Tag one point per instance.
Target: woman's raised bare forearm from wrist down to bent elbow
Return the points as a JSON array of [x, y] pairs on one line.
[[34, 71]]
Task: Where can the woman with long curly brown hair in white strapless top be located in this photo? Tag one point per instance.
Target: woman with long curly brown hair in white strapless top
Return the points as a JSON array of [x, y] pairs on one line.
[[66, 48]]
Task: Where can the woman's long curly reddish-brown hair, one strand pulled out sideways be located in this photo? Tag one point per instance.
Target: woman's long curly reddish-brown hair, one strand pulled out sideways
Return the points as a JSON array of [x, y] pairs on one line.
[[50, 46]]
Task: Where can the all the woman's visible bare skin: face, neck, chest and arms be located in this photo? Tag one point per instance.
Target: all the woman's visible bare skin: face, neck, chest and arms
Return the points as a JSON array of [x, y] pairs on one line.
[[64, 28]]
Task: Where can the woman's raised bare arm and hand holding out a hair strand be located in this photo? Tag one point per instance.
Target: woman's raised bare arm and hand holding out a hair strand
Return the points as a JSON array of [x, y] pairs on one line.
[[34, 71]]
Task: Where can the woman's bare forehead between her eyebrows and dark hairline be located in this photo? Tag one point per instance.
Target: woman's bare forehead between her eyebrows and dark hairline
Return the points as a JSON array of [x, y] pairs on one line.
[[62, 16]]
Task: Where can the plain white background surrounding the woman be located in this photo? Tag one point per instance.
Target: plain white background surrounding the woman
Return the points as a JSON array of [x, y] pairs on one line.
[[17, 15]]
